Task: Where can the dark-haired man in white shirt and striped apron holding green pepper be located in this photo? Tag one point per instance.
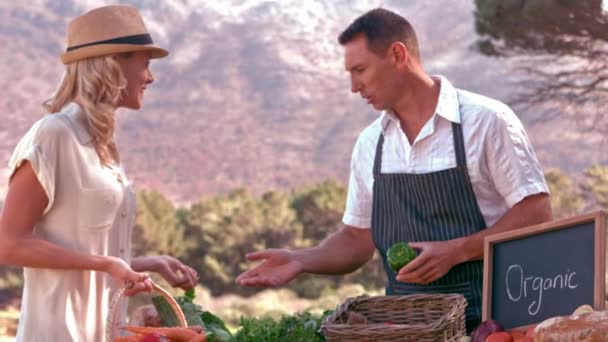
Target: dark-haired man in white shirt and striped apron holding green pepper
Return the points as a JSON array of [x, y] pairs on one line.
[[441, 169]]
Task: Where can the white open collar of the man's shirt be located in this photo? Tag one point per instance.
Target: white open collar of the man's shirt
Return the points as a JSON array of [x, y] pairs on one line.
[[447, 105]]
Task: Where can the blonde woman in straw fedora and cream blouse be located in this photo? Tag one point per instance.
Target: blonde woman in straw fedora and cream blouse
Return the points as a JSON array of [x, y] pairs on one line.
[[70, 209]]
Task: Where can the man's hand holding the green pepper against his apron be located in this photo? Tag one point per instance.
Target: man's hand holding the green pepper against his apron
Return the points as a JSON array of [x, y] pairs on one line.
[[434, 261]]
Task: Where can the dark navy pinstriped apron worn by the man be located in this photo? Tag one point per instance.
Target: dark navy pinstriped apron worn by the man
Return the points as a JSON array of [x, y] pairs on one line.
[[433, 206]]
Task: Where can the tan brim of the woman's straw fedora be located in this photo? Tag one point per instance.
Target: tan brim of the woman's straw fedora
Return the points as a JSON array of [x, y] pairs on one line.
[[108, 49]]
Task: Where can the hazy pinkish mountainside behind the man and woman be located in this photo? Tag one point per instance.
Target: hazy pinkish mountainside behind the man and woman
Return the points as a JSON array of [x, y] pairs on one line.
[[254, 93]]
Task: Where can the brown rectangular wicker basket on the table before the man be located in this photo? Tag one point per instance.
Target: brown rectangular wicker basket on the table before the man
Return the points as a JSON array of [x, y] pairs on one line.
[[418, 317]]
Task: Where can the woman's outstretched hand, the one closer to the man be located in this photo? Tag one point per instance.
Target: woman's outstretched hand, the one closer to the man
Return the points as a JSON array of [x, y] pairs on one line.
[[172, 270]]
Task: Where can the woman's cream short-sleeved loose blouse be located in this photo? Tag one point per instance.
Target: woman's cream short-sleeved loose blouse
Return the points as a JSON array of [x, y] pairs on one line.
[[91, 209]]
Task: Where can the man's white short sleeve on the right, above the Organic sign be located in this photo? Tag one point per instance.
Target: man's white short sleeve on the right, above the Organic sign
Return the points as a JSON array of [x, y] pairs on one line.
[[511, 160]]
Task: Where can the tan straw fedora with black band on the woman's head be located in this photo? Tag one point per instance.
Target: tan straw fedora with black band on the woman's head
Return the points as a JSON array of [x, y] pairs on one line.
[[107, 30]]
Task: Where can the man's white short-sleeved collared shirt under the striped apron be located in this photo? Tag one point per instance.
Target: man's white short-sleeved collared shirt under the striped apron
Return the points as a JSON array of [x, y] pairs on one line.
[[501, 162]]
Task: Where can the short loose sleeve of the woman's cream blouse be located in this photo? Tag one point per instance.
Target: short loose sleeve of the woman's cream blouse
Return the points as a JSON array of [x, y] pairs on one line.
[[38, 147]]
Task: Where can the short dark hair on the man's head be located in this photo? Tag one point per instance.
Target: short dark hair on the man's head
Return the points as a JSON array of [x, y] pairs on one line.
[[382, 27]]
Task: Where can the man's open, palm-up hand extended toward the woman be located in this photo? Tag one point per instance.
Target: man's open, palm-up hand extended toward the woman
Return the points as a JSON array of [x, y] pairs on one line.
[[278, 268]]
